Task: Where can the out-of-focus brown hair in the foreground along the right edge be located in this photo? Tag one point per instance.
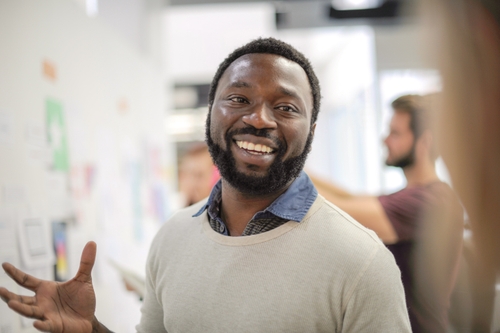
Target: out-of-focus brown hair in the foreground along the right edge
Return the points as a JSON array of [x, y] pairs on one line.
[[464, 36]]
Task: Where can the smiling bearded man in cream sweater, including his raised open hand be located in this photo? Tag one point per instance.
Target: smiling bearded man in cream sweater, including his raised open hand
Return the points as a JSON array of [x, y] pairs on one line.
[[265, 253]]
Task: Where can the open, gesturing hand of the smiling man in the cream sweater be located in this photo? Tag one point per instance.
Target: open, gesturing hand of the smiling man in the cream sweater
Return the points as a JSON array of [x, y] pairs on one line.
[[58, 307]]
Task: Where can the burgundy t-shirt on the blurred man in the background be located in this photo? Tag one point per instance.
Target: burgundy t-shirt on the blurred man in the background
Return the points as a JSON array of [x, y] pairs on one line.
[[429, 222]]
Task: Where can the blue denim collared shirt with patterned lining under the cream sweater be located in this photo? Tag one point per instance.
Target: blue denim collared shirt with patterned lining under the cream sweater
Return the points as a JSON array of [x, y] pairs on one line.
[[292, 205]]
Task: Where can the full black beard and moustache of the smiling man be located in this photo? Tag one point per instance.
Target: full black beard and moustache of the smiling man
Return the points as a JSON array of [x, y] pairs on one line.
[[279, 175]]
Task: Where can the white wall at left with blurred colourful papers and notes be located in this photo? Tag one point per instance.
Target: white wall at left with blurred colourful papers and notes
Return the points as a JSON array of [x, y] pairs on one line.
[[83, 154]]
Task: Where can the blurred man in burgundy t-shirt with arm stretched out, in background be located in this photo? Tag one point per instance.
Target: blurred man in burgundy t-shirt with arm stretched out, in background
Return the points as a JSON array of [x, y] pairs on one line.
[[411, 220]]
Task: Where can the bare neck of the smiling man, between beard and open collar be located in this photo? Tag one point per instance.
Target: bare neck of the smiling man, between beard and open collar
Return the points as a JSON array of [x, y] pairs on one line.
[[238, 208]]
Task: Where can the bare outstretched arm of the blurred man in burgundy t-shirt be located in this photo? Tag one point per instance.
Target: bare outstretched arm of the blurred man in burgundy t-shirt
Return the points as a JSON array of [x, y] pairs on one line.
[[367, 210]]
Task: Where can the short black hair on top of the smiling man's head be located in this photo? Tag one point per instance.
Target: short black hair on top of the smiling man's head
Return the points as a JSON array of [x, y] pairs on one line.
[[270, 46]]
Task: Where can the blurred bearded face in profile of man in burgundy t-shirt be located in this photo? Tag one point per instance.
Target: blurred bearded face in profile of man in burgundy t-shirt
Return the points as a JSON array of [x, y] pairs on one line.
[[400, 141]]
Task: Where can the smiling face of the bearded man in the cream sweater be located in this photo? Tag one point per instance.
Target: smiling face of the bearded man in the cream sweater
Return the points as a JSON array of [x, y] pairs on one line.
[[259, 127]]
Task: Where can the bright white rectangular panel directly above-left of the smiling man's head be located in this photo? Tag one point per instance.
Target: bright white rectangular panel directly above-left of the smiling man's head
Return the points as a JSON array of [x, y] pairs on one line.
[[198, 38]]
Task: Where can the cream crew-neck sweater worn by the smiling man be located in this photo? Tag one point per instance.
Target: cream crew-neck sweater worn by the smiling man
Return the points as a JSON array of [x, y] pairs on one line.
[[325, 274]]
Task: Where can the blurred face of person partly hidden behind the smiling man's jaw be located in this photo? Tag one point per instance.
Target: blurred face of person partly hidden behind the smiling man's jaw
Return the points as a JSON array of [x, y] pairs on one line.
[[197, 174]]
